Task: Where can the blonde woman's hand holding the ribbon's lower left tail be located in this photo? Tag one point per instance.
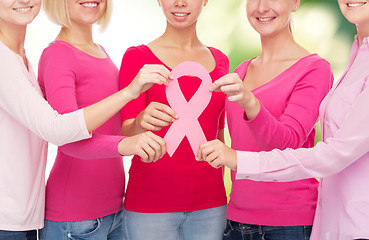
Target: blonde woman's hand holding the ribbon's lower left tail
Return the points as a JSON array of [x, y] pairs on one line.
[[147, 145]]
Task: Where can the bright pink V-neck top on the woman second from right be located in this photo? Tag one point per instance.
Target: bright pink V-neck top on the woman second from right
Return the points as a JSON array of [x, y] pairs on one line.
[[289, 111]]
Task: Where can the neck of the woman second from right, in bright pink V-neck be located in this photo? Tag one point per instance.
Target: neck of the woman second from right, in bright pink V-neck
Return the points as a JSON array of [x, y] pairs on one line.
[[277, 46]]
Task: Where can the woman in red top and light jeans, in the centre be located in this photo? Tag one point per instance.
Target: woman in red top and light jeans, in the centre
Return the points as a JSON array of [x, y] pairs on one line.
[[175, 197]]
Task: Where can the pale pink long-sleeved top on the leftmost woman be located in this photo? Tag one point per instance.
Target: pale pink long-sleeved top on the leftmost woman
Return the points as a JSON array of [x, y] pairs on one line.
[[25, 120]]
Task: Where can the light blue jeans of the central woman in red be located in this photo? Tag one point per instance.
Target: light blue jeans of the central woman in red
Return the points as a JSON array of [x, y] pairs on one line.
[[207, 224]]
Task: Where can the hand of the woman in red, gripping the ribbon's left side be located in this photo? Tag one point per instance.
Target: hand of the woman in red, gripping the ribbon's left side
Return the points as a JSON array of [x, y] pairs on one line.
[[155, 117]]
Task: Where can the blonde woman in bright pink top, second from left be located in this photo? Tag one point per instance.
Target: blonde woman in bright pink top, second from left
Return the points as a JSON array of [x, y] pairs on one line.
[[84, 198]]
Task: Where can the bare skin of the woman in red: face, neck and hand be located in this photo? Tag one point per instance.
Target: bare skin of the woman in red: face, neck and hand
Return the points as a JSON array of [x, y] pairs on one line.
[[178, 43]]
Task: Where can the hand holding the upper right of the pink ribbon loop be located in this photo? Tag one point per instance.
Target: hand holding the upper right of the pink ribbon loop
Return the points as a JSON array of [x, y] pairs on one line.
[[234, 88]]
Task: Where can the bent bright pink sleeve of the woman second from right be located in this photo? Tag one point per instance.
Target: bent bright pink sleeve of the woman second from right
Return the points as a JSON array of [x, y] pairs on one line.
[[292, 128]]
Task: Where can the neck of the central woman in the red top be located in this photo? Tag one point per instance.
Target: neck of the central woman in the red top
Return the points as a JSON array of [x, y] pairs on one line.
[[183, 38]]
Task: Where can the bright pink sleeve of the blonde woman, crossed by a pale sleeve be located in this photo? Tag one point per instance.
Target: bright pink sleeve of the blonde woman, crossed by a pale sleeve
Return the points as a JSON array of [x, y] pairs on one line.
[[59, 69]]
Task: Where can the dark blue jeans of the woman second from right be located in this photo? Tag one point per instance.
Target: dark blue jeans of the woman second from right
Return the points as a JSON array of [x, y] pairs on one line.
[[241, 231]]
